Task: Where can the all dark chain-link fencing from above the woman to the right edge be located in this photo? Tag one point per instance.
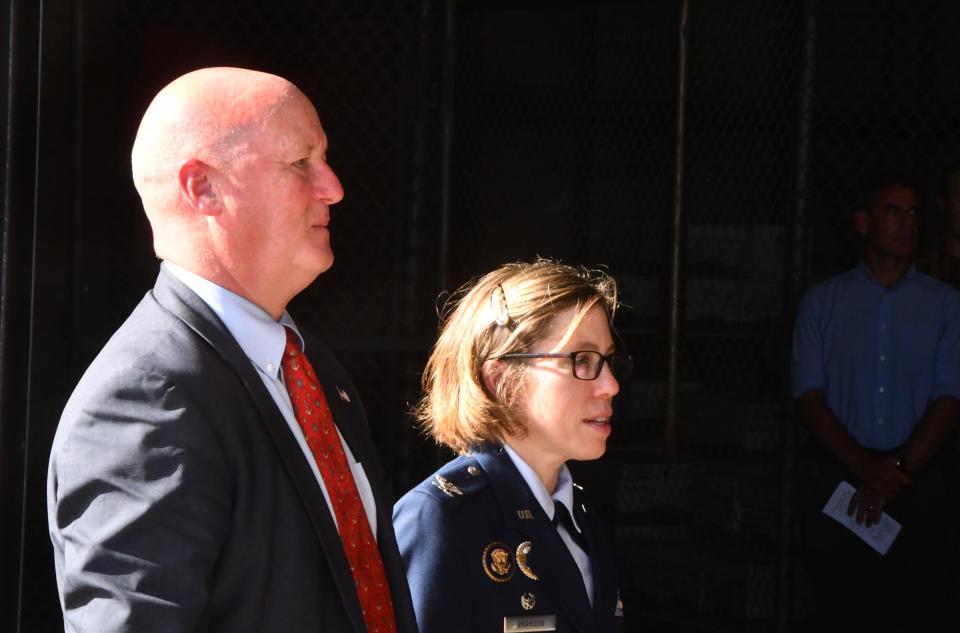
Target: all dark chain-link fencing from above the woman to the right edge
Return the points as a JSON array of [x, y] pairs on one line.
[[565, 141]]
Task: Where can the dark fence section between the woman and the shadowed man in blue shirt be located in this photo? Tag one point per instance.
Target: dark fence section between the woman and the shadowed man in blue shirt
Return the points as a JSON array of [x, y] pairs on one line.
[[565, 146]]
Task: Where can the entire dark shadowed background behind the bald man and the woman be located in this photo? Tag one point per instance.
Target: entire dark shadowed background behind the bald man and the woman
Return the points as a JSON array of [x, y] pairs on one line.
[[472, 133]]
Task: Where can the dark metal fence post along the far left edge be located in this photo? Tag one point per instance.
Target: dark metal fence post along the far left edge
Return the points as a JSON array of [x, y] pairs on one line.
[[21, 111]]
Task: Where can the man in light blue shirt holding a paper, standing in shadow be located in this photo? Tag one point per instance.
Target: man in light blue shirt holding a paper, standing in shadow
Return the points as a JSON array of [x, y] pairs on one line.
[[876, 375]]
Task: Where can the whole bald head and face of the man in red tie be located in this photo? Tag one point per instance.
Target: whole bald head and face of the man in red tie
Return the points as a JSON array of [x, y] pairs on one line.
[[231, 166]]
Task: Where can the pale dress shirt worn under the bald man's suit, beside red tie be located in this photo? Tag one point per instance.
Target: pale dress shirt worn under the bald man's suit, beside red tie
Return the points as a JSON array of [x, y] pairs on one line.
[[262, 339]]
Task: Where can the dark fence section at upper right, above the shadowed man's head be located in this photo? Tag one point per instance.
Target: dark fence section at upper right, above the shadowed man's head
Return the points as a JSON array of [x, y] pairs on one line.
[[884, 98]]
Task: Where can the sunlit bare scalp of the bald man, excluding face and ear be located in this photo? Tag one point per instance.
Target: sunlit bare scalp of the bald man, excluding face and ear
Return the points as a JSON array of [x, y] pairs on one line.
[[203, 115]]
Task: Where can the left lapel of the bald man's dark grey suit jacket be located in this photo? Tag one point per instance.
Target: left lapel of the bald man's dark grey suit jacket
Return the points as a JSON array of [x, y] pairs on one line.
[[175, 296]]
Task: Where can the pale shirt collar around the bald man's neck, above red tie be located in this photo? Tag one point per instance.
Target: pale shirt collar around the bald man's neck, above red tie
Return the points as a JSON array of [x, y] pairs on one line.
[[260, 337]]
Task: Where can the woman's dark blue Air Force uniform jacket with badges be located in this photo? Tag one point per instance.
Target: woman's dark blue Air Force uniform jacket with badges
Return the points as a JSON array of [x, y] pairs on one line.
[[481, 555]]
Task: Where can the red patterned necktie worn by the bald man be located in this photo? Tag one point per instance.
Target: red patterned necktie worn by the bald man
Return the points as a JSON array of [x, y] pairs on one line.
[[316, 421]]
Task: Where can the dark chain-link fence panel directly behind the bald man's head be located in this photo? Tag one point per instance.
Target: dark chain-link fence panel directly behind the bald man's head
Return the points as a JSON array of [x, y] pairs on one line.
[[371, 69]]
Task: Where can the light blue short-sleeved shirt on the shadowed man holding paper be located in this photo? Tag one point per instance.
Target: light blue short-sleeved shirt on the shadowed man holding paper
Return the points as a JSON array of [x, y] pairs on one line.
[[881, 355]]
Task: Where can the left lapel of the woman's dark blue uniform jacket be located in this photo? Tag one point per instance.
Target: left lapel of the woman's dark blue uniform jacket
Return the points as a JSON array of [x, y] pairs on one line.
[[550, 558]]
